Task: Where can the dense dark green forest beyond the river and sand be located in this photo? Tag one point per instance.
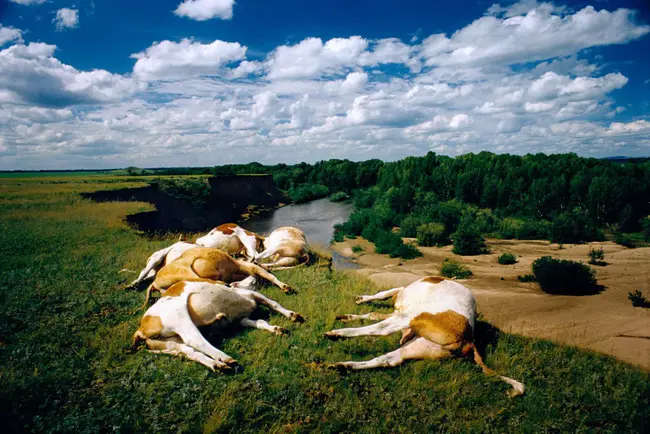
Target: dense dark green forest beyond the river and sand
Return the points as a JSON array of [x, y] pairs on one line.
[[439, 199]]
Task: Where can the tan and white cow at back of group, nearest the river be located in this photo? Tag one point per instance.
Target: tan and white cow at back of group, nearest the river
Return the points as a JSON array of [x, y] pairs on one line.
[[287, 248]]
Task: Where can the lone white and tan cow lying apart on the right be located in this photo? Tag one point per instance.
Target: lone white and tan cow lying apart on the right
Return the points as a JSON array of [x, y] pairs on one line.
[[436, 318]]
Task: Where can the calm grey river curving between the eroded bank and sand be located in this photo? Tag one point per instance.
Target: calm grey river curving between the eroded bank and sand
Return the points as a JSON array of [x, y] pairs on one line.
[[316, 219]]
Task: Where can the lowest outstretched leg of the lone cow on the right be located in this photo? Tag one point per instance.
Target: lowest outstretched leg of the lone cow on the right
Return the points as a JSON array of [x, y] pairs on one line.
[[419, 348]]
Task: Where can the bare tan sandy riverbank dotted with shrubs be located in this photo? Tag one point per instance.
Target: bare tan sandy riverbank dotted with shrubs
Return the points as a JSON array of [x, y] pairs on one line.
[[605, 322]]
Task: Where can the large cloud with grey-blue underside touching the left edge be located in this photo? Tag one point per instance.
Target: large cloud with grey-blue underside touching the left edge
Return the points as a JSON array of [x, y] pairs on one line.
[[30, 74]]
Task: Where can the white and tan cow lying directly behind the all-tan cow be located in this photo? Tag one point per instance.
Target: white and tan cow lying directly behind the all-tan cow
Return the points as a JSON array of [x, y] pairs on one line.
[[227, 237]]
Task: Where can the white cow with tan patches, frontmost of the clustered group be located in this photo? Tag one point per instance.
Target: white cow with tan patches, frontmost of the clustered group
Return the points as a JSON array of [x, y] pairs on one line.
[[170, 325]]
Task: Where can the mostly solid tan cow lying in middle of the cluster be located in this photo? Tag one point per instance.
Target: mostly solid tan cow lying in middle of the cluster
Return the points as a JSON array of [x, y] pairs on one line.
[[205, 263]]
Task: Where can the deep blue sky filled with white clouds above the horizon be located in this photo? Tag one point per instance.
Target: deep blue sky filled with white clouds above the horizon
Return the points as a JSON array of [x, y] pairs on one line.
[[98, 84]]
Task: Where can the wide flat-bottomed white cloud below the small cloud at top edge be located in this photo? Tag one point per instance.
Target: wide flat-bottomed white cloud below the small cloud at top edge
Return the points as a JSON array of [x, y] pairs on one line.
[[172, 60]]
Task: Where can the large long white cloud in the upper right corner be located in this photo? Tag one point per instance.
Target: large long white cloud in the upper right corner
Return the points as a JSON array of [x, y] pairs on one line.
[[491, 40]]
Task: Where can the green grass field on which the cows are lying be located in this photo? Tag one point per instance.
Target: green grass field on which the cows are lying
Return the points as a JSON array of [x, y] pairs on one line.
[[65, 330]]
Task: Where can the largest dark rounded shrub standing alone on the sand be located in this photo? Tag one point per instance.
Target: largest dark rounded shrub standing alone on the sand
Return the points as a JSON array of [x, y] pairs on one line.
[[559, 276]]
